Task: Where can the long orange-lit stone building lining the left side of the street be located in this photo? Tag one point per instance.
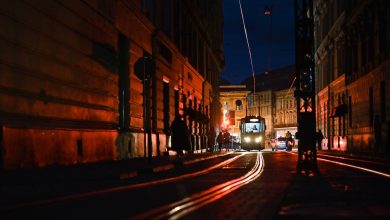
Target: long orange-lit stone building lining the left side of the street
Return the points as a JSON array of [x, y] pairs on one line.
[[69, 89]]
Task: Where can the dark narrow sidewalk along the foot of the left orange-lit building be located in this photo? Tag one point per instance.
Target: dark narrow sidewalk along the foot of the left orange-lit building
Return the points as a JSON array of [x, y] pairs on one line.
[[119, 169]]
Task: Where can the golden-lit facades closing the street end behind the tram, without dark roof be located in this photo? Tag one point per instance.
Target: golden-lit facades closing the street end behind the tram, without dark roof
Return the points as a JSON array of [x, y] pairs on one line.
[[278, 108]]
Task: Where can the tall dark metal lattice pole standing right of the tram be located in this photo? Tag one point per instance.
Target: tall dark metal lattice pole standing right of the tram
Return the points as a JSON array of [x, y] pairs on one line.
[[305, 84]]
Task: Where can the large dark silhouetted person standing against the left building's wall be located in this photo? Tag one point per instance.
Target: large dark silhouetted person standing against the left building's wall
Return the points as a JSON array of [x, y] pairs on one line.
[[180, 135]]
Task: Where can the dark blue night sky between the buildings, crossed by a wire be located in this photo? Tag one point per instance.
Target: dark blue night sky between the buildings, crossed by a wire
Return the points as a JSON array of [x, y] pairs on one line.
[[271, 38]]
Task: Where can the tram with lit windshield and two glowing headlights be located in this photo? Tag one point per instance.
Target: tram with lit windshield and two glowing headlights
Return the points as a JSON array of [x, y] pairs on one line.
[[252, 133]]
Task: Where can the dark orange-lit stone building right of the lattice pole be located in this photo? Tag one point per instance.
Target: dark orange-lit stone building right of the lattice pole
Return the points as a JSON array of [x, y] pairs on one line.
[[352, 71]]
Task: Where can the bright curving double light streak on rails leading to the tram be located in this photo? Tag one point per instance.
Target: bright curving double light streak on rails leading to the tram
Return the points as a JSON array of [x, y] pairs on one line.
[[194, 202]]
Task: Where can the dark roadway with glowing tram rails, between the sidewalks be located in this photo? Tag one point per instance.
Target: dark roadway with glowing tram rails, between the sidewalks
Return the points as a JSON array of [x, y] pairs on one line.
[[240, 185]]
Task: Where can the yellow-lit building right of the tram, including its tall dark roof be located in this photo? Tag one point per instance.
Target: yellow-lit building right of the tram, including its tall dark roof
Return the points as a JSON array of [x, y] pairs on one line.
[[274, 100]]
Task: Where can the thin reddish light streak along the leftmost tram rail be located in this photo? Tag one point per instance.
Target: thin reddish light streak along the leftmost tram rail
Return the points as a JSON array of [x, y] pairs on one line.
[[117, 189]]
